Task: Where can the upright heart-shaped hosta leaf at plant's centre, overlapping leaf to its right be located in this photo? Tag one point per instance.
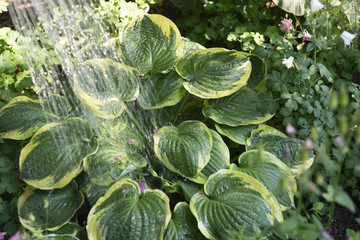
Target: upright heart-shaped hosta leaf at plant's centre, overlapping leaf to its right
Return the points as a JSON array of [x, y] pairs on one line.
[[186, 149]]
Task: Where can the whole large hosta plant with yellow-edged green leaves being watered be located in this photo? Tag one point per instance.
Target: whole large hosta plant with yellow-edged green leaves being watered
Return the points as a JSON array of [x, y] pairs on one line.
[[147, 152]]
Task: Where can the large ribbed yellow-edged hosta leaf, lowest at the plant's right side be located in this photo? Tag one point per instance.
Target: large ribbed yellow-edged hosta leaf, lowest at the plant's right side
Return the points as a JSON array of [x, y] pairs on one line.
[[234, 200]]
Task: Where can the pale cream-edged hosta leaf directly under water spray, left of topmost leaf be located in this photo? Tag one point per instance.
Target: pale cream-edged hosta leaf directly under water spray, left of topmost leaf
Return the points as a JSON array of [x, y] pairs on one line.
[[103, 84]]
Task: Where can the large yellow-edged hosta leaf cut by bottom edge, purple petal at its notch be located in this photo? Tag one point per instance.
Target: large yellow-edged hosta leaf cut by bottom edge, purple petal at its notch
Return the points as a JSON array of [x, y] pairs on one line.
[[127, 213]]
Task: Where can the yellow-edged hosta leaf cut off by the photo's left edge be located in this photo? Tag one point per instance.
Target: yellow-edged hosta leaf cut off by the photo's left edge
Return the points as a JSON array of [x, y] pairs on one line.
[[22, 117]]
